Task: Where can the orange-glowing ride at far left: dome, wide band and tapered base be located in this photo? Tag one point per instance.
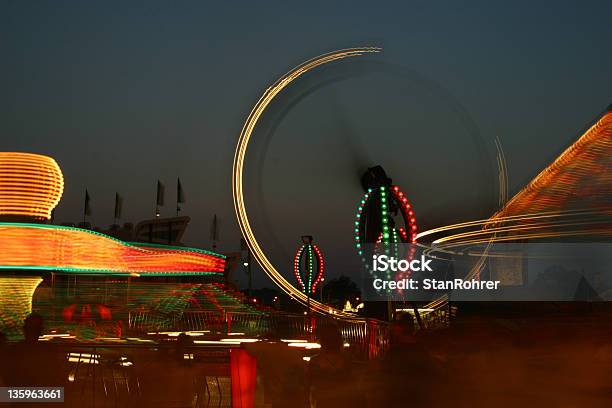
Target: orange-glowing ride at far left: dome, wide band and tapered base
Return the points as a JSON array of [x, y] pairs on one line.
[[31, 186]]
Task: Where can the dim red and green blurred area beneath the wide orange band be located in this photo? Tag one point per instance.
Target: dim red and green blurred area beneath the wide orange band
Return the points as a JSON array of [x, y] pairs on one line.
[[111, 308]]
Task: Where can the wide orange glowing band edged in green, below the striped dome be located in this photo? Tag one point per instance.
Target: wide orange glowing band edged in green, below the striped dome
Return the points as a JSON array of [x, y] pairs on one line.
[[37, 246]]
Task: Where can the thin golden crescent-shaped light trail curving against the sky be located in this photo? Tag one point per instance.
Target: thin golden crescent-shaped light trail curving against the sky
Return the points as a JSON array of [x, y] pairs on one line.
[[238, 170]]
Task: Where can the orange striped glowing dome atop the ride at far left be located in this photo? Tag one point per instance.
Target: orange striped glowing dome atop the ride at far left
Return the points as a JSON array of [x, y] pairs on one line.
[[30, 185]]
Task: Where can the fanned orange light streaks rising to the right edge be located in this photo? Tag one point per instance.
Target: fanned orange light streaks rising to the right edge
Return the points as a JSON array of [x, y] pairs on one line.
[[569, 194]]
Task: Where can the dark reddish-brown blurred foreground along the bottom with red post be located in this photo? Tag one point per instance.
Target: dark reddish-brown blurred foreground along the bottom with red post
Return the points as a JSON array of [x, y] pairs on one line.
[[563, 360]]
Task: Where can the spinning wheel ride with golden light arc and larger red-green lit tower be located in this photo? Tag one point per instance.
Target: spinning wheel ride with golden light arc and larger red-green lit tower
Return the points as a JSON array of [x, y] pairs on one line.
[[385, 215]]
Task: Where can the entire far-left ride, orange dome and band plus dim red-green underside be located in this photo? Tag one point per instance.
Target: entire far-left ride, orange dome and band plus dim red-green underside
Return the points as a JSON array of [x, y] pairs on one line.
[[31, 186]]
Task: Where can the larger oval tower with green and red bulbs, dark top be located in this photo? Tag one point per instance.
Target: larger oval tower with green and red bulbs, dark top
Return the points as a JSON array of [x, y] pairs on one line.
[[384, 221]]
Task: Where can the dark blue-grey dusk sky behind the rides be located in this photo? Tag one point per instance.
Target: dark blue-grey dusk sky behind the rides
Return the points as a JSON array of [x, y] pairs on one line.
[[122, 95]]
